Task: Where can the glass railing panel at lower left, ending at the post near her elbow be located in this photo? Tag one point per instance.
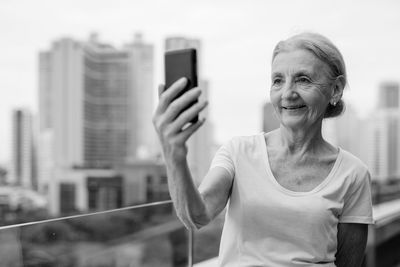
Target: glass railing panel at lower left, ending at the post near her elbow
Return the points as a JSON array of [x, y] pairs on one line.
[[34, 243]]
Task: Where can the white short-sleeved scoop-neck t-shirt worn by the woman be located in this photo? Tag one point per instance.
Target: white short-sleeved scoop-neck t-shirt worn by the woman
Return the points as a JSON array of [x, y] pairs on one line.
[[269, 225]]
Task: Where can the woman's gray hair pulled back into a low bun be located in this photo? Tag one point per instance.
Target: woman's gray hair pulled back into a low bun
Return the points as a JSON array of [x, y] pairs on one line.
[[327, 52]]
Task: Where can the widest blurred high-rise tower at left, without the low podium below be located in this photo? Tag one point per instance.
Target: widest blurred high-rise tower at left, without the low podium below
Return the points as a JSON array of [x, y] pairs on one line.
[[98, 100]]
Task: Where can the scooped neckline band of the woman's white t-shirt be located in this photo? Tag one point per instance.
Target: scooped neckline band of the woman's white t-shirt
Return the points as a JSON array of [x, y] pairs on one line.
[[295, 193]]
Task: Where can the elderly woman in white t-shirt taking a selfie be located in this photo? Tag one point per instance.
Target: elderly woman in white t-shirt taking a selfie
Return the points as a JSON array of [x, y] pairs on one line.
[[293, 199]]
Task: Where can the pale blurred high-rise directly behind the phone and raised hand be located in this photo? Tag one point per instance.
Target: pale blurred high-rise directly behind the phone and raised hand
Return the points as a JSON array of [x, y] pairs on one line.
[[199, 145]]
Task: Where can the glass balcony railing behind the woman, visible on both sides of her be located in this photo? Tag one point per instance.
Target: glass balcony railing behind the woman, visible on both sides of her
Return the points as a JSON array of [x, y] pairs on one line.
[[150, 235]]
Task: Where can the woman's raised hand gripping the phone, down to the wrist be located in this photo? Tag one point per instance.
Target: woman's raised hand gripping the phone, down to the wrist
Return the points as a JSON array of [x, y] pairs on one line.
[[171, 116]]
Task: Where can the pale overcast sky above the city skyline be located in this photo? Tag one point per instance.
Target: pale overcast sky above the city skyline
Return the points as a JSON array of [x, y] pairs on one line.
[[237, 37]]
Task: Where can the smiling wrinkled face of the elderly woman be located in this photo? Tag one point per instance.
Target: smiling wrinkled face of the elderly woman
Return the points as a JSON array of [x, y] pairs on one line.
[[300, 89]]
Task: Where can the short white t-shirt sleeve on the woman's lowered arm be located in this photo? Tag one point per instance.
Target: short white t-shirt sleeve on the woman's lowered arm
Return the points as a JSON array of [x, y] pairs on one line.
[[358, 203]]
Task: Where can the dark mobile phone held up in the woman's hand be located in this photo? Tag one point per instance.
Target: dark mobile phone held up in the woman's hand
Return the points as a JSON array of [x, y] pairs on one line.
[[181, 63]]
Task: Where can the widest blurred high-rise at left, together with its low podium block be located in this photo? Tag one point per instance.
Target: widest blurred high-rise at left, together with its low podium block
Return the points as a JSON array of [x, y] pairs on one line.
[[95, 108]]
